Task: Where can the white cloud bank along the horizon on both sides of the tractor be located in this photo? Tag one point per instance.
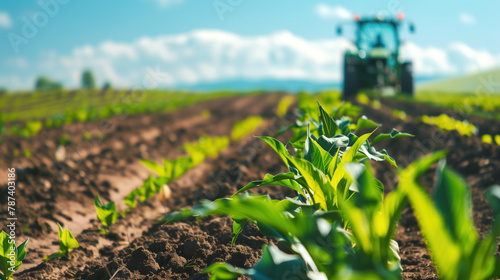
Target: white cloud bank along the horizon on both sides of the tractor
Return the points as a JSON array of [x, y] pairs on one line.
[[212, 55]]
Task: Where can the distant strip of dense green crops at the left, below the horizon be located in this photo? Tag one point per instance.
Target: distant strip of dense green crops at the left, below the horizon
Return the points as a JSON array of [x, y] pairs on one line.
[[71, 108]]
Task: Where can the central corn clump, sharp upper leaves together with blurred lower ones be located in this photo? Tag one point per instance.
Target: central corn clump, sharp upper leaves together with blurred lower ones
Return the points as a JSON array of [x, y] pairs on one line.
[[339, 227]]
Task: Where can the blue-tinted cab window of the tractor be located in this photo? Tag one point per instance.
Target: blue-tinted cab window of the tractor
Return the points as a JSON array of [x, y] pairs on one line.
[[377, 35]]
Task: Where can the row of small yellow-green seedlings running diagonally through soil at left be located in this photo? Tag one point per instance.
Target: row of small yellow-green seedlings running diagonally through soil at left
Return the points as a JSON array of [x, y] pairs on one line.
[[12, 256]]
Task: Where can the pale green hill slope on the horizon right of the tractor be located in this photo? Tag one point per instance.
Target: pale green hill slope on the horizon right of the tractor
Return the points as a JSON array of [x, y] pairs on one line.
[[485, 82]]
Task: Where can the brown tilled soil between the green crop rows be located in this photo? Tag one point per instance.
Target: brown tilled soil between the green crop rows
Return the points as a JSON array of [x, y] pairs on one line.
[[139, 247]]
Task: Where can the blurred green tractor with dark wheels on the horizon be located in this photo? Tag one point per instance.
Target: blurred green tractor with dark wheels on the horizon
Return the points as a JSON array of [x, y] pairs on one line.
[[375, 63]]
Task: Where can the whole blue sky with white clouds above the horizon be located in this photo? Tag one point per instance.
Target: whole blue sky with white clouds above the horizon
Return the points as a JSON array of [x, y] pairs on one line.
[[164, 43]]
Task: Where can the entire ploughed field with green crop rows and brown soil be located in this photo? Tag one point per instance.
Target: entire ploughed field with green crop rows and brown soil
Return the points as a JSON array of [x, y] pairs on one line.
[[153, 159]]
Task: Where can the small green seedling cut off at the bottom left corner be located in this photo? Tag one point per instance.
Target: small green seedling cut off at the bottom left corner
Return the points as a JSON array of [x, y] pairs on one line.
[[11, 256]]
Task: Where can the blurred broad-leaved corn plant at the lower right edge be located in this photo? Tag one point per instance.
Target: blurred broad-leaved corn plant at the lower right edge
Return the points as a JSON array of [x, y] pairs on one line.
[[447, 226]]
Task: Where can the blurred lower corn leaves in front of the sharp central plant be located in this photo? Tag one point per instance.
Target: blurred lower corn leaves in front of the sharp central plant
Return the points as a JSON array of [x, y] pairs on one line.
[[320, 248]]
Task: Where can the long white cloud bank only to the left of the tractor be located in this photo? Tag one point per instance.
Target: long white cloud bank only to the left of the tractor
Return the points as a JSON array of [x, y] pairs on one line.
[[209, 55]]
